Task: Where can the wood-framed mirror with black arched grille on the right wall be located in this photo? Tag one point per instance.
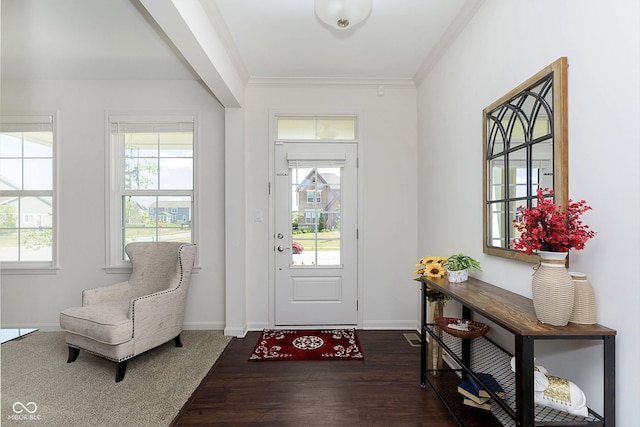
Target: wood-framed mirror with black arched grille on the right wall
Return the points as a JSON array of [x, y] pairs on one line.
[[525, 147]]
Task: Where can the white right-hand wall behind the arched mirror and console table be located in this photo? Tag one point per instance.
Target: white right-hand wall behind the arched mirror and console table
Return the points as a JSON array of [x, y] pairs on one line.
[[504, 44]]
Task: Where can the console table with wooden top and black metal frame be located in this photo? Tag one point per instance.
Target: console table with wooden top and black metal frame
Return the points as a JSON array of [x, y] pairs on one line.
[[515, 314]]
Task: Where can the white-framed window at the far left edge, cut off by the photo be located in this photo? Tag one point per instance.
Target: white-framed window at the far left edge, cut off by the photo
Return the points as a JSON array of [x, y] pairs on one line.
[[27, 204]]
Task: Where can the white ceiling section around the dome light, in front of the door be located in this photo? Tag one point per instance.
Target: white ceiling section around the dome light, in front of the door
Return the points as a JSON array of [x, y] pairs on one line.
[[283, 38]]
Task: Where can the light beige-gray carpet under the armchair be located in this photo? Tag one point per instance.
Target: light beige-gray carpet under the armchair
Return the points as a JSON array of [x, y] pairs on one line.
[[39, 388]]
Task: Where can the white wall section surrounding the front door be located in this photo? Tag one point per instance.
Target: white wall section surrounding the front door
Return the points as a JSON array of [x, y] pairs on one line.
[[388, 174]]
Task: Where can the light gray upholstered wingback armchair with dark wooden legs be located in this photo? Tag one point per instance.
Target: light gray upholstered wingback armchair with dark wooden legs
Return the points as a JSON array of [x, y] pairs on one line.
[[123, 320]]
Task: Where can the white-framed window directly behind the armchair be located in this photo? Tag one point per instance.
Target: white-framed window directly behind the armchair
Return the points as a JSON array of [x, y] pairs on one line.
[[152, 181]]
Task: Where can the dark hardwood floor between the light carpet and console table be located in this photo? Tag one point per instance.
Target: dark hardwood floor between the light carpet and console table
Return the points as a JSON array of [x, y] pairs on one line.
[[382, 390]]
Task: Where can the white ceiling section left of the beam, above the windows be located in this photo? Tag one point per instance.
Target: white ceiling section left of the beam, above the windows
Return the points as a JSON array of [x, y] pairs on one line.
[[84, 39]]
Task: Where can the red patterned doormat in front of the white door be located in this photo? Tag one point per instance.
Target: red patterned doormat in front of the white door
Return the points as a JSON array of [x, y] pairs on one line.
[[326, 344]]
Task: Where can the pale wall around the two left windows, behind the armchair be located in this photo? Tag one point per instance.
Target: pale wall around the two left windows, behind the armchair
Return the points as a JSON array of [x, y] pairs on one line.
[[36, 300]]
